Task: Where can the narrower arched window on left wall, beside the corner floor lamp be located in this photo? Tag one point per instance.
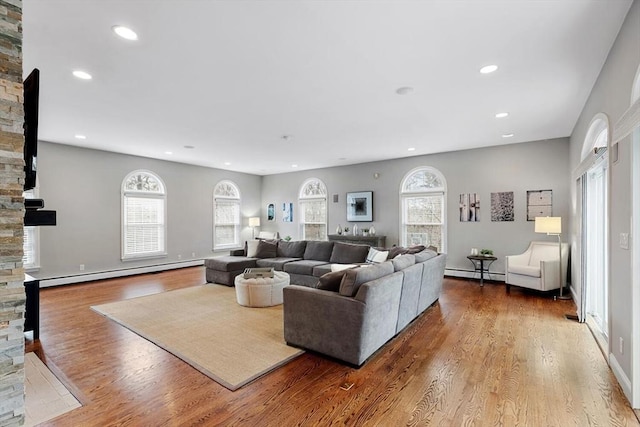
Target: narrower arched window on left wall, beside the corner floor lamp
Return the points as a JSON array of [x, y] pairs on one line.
[[226, 216]]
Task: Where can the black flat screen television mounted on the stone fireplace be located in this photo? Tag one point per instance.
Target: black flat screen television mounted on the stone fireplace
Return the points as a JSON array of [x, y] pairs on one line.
[[31, 96]]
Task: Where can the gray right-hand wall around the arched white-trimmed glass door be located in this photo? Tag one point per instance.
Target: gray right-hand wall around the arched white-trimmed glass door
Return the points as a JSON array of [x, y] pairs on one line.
[[611, 95]]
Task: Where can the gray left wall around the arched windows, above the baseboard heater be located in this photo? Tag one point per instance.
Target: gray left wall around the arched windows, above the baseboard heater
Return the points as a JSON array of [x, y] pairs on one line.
[[84, 187]]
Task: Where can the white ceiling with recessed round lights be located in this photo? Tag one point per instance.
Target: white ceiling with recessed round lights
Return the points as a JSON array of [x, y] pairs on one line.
[[260, 86]]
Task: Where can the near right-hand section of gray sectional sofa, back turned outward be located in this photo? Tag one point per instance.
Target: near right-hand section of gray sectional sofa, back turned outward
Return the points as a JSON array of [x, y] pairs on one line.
[[353, 316]]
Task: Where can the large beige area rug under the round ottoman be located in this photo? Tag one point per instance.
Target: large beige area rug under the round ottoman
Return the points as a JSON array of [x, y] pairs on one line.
[[207, 328]]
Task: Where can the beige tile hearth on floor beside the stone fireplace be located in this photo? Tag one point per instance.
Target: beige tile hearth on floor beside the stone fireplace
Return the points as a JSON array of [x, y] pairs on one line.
[[45, 396]]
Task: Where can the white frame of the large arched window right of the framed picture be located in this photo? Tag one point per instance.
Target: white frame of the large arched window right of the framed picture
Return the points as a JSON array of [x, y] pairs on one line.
[[406, 194]]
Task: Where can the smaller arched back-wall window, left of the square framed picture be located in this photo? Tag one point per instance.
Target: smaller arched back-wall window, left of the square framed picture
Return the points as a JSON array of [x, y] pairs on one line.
[[313, 210]]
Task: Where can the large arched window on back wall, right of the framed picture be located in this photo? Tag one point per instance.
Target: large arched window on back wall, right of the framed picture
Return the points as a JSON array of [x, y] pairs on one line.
[[422, 208]]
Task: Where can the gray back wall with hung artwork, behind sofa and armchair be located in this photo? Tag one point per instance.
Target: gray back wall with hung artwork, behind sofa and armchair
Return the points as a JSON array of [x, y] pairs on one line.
[[542, 165]]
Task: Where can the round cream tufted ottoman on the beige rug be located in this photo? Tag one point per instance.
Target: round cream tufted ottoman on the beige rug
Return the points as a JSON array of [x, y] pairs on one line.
[[262, 291]]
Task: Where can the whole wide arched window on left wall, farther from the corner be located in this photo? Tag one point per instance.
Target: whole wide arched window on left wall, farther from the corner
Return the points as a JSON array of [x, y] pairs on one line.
[[144, 226]]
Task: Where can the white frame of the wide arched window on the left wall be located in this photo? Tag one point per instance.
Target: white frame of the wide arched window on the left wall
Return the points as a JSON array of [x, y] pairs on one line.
[[140, 194]]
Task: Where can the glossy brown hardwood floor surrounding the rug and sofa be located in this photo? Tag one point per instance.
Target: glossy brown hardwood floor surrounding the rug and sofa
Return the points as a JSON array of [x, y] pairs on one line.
[[478, 357]]
